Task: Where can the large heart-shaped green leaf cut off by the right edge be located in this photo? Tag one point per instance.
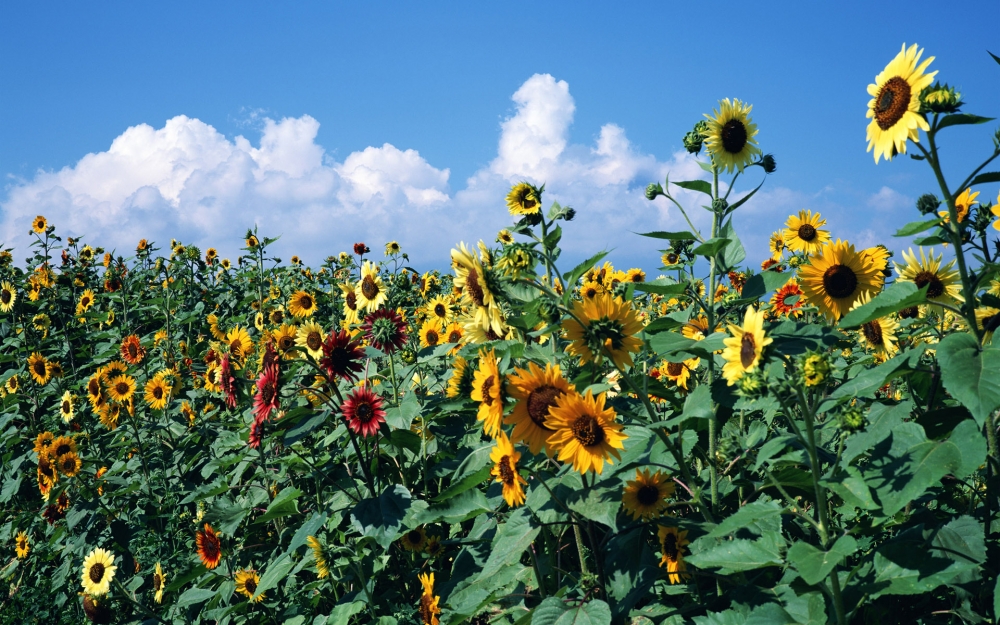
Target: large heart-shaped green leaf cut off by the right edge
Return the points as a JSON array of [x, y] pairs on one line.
[[970, 374]]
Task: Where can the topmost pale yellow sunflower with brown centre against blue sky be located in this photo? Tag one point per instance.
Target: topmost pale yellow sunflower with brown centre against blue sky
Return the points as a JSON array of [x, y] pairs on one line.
[[895, 104]]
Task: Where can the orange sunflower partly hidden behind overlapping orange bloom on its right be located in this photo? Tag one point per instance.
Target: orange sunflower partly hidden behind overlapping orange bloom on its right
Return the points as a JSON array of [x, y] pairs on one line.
[[535, 392]]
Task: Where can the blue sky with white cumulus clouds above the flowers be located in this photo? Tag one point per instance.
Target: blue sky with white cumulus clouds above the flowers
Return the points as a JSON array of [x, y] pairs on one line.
[[615, 88]]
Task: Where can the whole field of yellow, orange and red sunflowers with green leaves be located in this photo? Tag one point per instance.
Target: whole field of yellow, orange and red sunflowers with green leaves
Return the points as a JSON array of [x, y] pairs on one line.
[[809, 437]]
